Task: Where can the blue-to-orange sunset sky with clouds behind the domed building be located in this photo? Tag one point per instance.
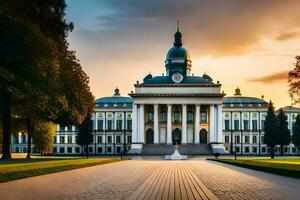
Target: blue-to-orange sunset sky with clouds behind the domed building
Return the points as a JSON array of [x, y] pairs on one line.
[[250, 44]]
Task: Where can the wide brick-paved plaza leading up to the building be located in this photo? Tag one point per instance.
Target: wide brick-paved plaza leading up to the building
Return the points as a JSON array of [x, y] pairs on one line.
[[153, 178]]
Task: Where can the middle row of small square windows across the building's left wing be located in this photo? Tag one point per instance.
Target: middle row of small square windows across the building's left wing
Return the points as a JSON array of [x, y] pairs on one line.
[[109, 139]]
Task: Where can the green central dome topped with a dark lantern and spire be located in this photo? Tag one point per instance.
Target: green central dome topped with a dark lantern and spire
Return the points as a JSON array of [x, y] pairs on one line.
[[178, 58]]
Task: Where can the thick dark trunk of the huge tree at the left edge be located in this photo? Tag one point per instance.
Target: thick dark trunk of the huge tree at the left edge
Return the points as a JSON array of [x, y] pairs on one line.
[[5, 114]]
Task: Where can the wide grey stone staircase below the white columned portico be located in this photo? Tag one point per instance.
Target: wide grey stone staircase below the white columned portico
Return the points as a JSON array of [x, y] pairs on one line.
[[188, 149]]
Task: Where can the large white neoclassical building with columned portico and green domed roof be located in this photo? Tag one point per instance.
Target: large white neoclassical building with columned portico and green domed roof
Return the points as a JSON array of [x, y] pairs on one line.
[[175, 108]]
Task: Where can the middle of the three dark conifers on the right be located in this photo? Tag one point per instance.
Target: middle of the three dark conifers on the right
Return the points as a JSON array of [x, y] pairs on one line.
[[283, 132]]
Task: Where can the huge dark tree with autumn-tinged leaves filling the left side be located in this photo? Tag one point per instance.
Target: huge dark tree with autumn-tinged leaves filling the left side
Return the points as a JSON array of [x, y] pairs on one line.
[[34, 50]]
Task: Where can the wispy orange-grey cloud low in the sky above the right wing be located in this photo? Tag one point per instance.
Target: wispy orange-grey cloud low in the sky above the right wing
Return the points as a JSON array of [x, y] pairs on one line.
[[277, 77]]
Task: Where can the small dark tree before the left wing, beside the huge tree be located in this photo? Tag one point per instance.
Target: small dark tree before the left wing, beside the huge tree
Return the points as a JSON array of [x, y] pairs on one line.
[[85, 136]]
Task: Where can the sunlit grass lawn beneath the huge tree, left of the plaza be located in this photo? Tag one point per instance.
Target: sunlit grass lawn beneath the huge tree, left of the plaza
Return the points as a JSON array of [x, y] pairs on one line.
[[22, 168]]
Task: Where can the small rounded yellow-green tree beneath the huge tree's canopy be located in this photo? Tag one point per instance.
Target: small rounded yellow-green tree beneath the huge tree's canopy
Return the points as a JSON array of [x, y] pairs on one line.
[[43, 136]]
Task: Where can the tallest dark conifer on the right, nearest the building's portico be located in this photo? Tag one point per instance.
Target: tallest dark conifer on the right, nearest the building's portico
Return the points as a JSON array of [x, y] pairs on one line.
[[270, 136]]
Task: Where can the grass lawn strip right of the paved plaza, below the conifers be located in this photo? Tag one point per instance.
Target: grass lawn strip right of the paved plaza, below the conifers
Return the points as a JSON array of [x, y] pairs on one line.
[[282, 166]]
